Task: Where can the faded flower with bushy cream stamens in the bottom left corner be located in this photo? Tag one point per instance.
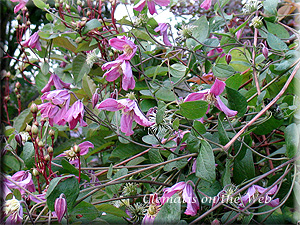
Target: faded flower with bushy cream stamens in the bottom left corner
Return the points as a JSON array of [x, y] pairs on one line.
[[13, 210]]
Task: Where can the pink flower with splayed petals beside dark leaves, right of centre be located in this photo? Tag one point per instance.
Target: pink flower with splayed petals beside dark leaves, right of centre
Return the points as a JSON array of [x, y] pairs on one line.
[[212, 96]]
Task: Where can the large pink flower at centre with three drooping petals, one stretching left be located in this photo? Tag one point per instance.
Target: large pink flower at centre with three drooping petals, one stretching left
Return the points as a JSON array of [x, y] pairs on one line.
[[130, 112]]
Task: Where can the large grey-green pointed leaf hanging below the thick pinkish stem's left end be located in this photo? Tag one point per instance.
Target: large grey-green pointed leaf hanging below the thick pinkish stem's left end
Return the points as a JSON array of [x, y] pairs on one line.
[[206, 168]]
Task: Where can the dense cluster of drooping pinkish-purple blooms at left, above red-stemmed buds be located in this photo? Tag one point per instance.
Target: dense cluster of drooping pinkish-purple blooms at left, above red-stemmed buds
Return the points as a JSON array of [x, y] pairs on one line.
[[57, 108]]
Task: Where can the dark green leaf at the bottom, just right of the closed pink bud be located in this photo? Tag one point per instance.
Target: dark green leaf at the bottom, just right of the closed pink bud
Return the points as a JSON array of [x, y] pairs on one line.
[[87, 212]]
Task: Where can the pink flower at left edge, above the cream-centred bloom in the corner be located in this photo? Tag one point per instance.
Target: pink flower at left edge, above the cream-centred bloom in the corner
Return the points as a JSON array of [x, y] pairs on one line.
[[23, 179]]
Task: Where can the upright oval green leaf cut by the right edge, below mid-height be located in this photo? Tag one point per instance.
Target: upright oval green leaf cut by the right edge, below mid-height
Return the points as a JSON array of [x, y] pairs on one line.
[[291, 135]]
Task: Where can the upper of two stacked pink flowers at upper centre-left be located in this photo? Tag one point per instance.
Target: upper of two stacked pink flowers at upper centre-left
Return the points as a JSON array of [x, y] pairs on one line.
[[125, 45]]
